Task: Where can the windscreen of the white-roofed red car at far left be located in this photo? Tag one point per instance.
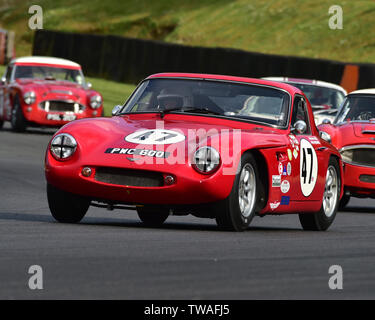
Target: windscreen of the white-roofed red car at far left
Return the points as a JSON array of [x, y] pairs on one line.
[[49, 73]]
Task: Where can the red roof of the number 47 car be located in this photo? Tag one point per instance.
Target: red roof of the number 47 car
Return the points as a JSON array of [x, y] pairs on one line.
[[284, 86]]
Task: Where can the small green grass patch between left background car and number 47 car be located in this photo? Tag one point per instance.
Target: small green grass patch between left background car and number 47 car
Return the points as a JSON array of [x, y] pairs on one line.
[[113, 92]]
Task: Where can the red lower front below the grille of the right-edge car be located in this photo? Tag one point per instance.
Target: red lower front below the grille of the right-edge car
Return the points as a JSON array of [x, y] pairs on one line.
[[357, 180]]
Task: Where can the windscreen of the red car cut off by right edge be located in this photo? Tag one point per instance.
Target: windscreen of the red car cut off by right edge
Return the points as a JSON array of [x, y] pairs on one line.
[[357, 108]]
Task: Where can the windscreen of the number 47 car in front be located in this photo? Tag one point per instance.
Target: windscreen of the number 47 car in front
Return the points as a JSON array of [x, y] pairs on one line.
[[242, 101]]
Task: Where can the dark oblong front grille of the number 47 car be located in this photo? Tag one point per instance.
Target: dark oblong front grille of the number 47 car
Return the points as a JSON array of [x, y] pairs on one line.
[[125, 177]]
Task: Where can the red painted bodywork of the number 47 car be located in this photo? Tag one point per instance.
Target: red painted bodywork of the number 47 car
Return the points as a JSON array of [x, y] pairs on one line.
[[94, 136]]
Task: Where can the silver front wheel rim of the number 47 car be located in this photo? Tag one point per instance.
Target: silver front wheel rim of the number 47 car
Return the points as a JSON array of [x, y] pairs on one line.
[[247, 190]]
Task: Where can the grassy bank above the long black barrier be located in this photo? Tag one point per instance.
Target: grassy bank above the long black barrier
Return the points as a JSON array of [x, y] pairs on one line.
[[285, 27]]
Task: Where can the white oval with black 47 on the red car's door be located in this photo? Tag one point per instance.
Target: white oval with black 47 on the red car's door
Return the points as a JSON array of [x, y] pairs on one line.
[[308, 167]]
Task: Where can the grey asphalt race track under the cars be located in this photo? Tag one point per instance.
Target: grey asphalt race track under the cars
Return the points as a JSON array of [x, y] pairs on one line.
[[110, 255]]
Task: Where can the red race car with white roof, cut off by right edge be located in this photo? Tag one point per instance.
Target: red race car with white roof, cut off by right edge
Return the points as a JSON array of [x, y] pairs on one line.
[[353, 134]]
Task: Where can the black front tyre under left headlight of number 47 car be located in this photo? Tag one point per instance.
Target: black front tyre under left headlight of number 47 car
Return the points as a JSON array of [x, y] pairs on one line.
[[66, 207]]
